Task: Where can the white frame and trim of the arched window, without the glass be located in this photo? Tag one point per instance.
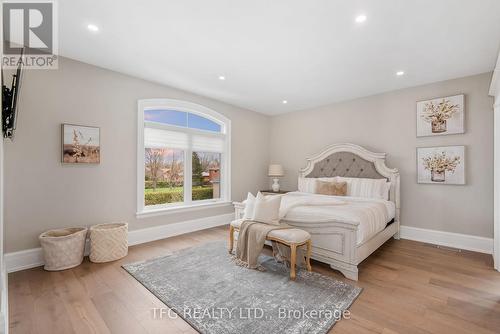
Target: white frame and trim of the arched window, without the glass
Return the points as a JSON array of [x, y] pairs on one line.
[[225, 199]]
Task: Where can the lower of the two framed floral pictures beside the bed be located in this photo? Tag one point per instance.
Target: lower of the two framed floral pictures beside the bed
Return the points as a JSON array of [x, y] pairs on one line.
[[441, 165]]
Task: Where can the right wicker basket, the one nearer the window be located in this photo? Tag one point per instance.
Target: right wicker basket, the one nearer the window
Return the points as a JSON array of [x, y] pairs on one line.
[[108, 242]]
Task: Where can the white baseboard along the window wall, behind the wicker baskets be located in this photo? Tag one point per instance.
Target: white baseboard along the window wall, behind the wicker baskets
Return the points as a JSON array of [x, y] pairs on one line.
[[31, 258]]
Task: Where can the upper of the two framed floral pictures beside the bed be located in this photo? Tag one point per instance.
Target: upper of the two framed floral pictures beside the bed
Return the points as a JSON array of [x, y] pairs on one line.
[[441, 116]]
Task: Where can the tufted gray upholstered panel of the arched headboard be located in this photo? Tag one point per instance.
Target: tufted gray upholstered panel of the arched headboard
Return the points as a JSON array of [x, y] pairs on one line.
[[345, 164]]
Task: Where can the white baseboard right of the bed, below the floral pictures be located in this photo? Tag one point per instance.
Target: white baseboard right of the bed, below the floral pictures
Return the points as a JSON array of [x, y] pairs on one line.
[[448, 239]]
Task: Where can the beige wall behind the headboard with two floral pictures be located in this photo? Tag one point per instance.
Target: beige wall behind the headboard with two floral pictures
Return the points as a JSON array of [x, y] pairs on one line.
[[386, 123]]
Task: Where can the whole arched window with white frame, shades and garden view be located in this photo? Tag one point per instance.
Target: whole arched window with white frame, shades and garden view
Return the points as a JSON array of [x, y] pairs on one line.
[[183, 156]]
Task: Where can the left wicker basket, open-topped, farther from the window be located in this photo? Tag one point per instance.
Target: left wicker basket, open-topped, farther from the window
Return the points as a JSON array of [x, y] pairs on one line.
[[63, 249]]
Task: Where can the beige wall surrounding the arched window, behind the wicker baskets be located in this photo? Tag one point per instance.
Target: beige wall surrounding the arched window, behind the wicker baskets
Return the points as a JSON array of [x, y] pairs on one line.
[[43, 194]]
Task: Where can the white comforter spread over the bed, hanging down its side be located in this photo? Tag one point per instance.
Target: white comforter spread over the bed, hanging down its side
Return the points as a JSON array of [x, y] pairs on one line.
[[370, 214]]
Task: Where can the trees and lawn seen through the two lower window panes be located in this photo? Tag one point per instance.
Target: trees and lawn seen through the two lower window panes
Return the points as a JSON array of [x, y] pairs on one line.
[[164, 176]]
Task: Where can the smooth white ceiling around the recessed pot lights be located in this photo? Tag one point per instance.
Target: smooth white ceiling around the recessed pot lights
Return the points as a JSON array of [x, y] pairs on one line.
[[310, 53]]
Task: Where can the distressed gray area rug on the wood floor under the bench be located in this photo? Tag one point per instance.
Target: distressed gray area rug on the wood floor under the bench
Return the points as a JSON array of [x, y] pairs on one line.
[[214, 295]]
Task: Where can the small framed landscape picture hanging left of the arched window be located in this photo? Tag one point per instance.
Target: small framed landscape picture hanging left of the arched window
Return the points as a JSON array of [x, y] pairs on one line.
[[80, 144]]
